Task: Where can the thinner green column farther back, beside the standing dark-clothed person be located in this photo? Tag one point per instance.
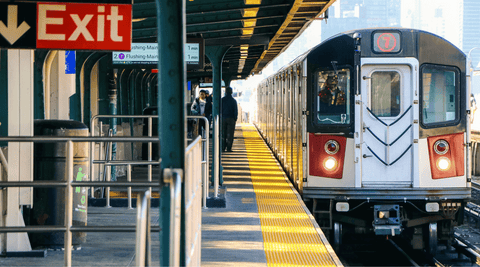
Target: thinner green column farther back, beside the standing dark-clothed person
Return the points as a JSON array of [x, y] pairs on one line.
[[216, 54]]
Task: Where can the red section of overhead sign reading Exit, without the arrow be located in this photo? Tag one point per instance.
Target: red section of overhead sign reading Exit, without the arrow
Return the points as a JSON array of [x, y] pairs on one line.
[[84, 26]]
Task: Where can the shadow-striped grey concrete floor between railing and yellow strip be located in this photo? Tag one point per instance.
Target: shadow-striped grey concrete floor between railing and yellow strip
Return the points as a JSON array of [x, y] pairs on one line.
[[232, 236]]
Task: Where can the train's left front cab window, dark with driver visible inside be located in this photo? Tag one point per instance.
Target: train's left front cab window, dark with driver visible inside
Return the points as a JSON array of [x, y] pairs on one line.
[[333, 96]]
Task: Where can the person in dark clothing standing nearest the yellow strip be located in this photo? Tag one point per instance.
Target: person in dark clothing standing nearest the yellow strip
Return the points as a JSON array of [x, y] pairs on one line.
[[229, 119]]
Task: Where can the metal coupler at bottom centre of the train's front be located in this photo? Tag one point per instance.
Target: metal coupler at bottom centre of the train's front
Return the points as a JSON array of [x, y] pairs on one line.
[[387, 220]]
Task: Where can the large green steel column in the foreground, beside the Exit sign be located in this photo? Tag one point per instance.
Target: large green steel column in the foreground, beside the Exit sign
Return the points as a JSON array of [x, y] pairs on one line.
[[171, 37]]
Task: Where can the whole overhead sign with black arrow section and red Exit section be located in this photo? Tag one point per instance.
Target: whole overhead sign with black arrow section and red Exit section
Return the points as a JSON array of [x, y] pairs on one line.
[[66, 26]]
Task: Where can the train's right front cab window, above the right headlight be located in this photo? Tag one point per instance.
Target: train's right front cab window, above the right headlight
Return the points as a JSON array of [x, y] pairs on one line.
[[439, 103]]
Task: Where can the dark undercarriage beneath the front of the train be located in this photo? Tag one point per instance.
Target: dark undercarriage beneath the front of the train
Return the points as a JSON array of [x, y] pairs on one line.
[[407, 219]]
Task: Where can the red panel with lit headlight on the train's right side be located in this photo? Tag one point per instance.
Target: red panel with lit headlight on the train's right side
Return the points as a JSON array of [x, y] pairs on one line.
[[446, 155]]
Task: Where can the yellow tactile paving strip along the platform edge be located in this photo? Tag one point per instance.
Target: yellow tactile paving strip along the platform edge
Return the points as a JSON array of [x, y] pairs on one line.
[[290, 238]]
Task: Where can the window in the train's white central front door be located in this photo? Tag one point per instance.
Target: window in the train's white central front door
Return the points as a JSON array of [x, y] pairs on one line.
[[385, 93]]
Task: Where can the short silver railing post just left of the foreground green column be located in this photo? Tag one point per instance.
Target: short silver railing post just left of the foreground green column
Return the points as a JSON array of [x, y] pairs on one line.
[[142, 240]]
